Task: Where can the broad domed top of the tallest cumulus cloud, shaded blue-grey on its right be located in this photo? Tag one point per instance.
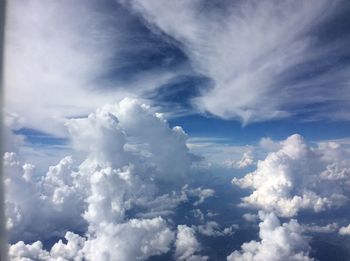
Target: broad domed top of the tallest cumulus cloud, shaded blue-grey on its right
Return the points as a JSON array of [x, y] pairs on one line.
[[132, 123]]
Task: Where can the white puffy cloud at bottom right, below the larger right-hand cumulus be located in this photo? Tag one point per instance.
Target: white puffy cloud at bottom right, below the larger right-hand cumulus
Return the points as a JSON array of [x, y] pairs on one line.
[[277, 242]]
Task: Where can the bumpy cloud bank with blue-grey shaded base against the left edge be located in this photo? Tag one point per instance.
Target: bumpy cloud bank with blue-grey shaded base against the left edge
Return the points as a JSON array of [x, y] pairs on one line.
[[57, 202]]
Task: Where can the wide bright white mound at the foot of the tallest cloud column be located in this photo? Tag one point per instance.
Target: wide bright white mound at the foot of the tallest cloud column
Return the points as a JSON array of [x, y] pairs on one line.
[[136, 239]]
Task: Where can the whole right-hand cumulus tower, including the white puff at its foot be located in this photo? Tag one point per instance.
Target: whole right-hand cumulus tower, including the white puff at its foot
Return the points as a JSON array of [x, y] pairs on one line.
[[294, 177]]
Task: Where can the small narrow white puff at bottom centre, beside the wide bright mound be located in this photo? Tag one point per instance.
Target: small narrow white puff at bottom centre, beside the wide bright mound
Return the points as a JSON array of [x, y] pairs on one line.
[[186, 244]]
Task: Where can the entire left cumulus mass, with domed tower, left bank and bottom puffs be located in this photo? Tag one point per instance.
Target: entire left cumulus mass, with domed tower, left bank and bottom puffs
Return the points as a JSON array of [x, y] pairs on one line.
[[128, 149]]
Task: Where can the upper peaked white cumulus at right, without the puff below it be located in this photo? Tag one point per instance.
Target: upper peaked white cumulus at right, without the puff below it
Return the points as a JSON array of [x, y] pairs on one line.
[[290, 179]]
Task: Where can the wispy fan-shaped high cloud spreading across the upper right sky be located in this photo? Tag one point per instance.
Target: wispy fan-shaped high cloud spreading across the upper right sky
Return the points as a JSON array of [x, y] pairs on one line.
[[255, 52]]
